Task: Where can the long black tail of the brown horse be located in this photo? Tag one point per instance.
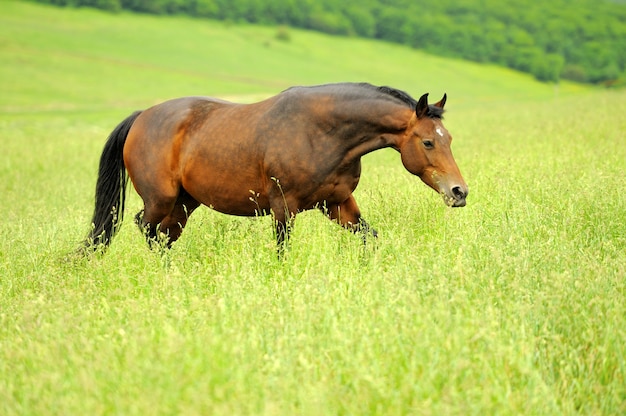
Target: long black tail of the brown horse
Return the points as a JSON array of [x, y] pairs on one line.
[[110, 187]]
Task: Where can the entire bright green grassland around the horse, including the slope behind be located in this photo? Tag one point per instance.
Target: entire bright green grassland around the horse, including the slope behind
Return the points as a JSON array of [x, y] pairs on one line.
[[514, 304]]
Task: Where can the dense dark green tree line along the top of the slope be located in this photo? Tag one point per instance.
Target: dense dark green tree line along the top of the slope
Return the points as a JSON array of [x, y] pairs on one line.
[[579, 40]]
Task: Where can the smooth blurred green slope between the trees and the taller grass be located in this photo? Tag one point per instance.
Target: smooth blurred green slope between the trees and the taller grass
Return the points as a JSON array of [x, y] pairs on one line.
[[83, 60]]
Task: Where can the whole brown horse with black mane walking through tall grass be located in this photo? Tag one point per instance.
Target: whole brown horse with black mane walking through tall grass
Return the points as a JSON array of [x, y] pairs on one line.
[[298, 150]]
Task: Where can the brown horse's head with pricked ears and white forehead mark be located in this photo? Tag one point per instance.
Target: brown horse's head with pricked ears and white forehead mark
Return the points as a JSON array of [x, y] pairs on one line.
[[425, 151]]
